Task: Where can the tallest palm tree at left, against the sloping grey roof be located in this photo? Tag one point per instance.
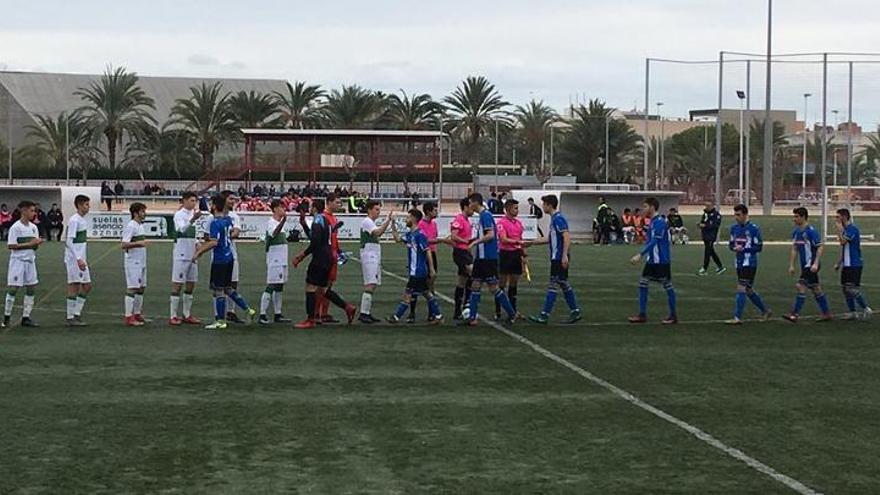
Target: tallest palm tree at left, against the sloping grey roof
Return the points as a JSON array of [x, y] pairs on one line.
[[117, 107]]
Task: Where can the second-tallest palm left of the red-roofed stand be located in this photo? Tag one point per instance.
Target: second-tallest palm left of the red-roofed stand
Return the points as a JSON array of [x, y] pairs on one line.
[[207, 115]]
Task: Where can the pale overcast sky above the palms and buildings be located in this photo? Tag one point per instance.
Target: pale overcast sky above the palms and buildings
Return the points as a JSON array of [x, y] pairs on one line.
[[550, 49]]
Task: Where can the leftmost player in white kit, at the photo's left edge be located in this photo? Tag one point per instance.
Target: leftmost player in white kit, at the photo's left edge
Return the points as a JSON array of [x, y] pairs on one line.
[[23, 241]]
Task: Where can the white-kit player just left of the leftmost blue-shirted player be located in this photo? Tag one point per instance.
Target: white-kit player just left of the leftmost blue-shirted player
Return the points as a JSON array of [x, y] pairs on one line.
[[184, 273]]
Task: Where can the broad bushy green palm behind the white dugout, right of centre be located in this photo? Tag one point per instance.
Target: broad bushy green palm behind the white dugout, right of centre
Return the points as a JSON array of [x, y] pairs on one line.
[[583, 148]]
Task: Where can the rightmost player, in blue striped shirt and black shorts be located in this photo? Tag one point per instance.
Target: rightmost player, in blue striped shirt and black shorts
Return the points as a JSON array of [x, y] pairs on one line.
[[850, 266]]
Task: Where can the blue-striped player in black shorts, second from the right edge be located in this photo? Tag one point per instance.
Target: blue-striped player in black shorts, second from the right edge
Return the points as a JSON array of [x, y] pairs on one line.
[[807, 248]]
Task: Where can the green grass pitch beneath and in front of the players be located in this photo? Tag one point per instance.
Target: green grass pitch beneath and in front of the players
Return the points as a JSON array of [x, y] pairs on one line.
[[418, 409]]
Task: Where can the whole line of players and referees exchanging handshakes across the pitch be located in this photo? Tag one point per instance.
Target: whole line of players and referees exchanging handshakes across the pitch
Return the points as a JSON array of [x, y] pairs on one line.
[[492, 255]]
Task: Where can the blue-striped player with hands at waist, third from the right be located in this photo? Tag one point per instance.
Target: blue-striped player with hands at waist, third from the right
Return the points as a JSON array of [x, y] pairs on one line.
[[746, 243]]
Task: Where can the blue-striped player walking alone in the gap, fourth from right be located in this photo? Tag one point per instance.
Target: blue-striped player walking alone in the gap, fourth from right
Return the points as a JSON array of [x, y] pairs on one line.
[[658, 266]]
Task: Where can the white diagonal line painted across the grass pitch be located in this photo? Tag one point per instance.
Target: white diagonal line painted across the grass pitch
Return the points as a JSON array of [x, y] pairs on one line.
[[701, 435]]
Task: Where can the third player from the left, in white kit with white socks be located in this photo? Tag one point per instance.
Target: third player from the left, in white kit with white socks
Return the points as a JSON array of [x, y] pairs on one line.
[[134, 243]]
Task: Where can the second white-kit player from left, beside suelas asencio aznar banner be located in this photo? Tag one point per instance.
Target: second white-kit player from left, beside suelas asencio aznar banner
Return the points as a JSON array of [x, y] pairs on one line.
[[79, 279]]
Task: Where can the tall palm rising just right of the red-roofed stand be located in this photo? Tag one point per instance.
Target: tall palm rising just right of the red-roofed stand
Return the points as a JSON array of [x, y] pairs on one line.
[[475, 105]]
